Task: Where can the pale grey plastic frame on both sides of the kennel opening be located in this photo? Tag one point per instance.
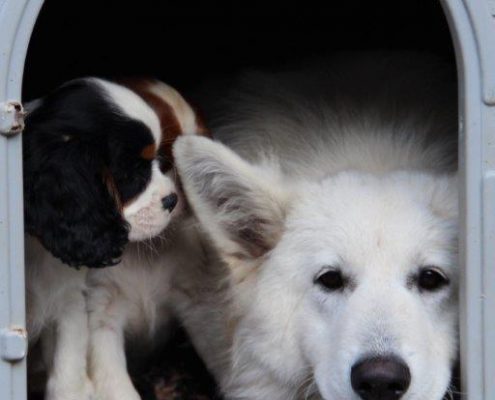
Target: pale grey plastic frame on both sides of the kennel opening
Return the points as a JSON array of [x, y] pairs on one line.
[[472, 24]]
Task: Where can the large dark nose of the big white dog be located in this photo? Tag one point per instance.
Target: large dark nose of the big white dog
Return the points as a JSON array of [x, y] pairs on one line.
[[380, 378]]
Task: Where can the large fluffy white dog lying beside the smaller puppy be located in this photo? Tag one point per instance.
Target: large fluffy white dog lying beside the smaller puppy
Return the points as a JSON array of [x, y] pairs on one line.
[[338, 231]]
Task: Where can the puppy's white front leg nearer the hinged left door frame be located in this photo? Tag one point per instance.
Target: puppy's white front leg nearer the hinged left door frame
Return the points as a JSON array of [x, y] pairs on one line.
[[65, 352]]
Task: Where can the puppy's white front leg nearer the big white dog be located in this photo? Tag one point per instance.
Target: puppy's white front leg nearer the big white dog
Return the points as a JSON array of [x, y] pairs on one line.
[[108, 367]]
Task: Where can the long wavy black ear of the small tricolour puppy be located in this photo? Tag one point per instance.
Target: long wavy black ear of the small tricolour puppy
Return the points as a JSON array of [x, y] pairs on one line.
[[68, 204]]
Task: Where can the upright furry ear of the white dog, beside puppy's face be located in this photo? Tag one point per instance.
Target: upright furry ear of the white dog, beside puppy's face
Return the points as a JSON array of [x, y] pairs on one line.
[[242, 209]]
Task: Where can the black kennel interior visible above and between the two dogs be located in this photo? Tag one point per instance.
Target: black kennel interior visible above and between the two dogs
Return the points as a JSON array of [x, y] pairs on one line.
[[186, 43]]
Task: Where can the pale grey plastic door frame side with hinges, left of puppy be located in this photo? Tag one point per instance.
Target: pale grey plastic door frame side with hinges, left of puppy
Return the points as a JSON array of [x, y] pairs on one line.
[[17, 18]]
